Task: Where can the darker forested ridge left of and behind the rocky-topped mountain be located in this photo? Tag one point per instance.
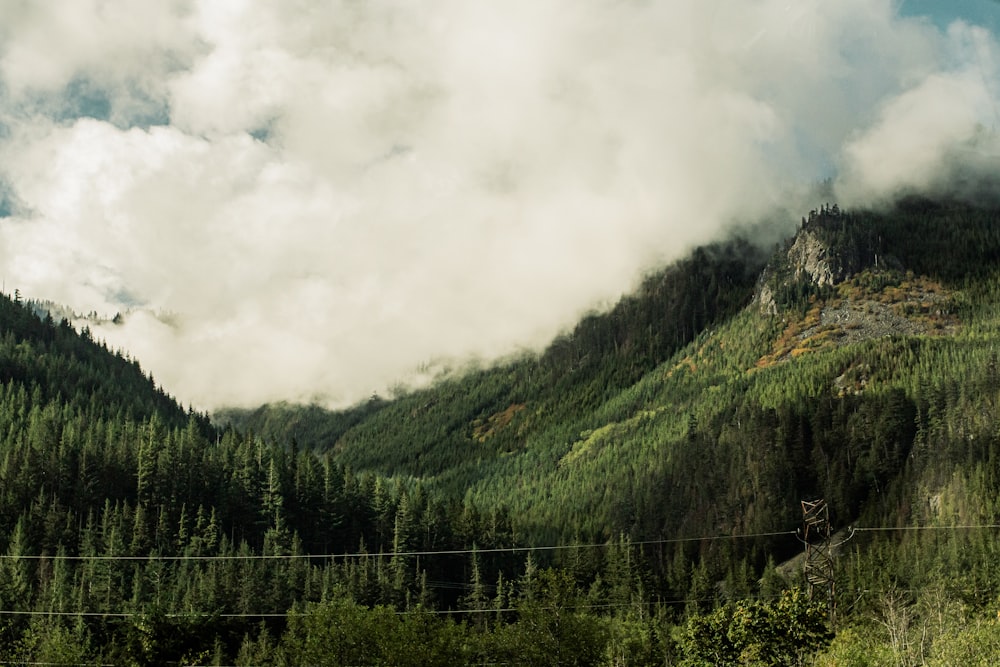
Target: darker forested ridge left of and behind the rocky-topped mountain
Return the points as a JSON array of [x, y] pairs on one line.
[[487, 426]]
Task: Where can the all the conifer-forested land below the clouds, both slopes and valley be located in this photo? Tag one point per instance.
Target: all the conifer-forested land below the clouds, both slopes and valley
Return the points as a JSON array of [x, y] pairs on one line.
[[630, 496]]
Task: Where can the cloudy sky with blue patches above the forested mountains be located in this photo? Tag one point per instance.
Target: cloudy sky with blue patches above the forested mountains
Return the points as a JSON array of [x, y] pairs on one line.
[[315, 200]]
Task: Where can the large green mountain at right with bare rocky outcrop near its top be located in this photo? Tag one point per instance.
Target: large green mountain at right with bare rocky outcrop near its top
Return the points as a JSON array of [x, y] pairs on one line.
[[857, 364]]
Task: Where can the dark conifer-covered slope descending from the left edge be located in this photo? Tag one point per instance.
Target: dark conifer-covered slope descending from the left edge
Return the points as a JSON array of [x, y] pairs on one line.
[[132, 532]]
